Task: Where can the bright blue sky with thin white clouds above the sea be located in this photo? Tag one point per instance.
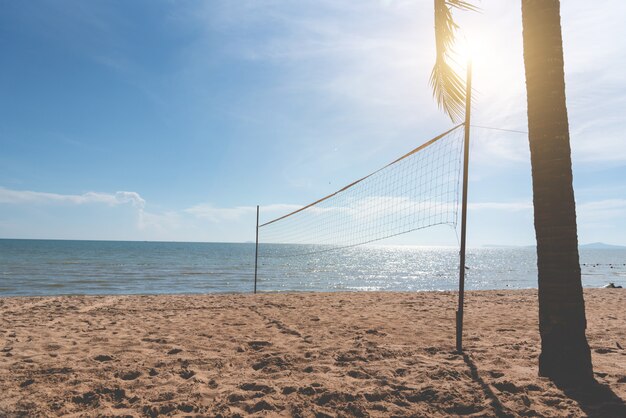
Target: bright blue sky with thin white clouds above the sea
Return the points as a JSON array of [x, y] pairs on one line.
[[163, 120]]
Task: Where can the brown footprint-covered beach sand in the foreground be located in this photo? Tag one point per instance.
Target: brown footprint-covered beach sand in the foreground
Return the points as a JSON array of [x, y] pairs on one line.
[[297, 354]]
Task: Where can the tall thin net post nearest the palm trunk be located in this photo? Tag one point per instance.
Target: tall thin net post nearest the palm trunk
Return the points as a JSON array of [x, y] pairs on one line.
[[459, 312]]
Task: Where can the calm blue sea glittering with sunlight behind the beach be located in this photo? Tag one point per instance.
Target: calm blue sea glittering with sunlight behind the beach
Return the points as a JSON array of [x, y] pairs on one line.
[[51, 267]]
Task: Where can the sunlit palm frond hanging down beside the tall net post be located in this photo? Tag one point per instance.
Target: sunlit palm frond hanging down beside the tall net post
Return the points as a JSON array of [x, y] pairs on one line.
[[448, 87]]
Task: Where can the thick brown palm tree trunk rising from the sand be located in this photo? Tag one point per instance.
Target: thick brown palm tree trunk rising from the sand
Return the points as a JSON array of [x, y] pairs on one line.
[[565, 354]]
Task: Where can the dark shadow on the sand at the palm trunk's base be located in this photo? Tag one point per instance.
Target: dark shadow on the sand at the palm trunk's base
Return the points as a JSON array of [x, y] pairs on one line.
[[595, 399]]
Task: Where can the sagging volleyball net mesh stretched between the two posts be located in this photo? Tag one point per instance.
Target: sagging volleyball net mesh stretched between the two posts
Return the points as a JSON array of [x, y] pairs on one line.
[[416, 191]]
